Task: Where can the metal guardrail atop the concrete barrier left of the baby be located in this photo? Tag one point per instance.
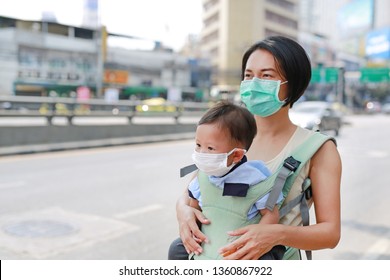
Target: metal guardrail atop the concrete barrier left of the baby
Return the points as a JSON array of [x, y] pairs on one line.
[[51, 107]]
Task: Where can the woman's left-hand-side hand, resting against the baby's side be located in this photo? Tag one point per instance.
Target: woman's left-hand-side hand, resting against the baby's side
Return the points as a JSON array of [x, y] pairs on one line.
[[190, 233]]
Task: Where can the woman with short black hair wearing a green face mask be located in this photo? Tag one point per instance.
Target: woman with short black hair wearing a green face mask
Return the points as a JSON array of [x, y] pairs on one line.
[[275, 73]]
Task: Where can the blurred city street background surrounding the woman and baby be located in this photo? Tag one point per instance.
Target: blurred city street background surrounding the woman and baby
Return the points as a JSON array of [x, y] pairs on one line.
[[98, 73]]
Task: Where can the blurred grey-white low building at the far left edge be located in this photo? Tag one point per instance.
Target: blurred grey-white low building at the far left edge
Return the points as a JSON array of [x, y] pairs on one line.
[[38, 57]]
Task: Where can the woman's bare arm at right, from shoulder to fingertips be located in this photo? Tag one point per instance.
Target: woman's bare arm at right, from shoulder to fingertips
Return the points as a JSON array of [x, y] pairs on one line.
[[325, 174]]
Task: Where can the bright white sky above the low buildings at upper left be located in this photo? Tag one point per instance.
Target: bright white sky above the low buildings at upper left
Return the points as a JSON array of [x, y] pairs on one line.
[[168, 21]]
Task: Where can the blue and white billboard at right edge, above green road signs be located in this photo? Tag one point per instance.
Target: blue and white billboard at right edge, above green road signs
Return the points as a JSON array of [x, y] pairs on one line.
[[378, 44]]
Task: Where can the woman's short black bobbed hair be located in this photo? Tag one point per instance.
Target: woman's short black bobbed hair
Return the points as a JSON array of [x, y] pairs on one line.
[[291, 60]]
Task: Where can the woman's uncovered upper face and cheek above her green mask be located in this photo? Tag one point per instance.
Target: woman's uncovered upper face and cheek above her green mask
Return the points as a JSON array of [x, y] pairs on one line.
[[261, 64]]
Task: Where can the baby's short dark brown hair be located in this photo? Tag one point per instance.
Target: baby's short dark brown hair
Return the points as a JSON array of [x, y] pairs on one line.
[[233, 118]]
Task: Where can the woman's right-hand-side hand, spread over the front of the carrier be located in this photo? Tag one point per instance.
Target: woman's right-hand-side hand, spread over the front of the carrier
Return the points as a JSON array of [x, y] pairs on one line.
[[254, 241]]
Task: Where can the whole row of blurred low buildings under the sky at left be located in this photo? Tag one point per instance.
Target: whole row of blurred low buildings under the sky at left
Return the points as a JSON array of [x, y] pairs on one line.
[[47, 58]]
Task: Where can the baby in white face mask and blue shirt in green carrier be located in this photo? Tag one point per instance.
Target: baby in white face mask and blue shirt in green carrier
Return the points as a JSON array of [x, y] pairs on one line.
[[227, 184]]
